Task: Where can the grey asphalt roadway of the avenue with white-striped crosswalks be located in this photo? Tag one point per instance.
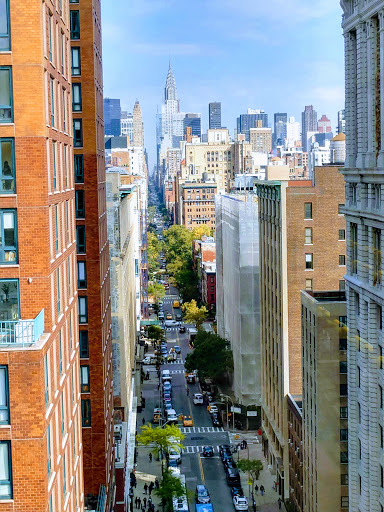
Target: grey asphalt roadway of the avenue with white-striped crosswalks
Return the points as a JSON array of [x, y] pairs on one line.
[[196, 468]]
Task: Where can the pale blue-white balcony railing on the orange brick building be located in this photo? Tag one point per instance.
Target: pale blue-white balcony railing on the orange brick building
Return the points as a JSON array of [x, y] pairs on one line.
[[21, 332]]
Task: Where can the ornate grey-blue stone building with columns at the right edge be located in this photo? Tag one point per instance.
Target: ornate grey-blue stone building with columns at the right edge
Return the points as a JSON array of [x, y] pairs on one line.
[[364, 207]]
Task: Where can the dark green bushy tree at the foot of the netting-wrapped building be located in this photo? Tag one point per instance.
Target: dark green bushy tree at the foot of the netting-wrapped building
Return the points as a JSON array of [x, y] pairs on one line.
[[211, 357]]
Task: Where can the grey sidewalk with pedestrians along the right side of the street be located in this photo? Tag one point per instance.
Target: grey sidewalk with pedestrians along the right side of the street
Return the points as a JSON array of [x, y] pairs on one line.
[[268, 502]]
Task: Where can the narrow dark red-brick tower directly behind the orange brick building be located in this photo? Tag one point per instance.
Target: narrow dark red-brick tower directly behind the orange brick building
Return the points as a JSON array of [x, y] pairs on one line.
[[92, 252]]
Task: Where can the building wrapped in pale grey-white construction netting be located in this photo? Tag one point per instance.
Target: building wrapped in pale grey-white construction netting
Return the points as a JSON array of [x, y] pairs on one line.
[[238, 293]]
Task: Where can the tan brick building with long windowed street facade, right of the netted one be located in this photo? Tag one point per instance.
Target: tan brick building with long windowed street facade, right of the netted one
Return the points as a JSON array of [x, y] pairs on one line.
[[302, 246]]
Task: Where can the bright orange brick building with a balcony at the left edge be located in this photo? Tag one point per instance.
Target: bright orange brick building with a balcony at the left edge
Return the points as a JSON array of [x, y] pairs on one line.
[[41, 453]]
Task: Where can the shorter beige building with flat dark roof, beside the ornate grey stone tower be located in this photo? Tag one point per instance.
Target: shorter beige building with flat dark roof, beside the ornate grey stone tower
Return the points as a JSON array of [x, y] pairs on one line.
[[325, 411]]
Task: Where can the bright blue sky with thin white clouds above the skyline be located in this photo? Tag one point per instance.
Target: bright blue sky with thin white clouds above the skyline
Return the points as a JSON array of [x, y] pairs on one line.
[[278, 55]]
